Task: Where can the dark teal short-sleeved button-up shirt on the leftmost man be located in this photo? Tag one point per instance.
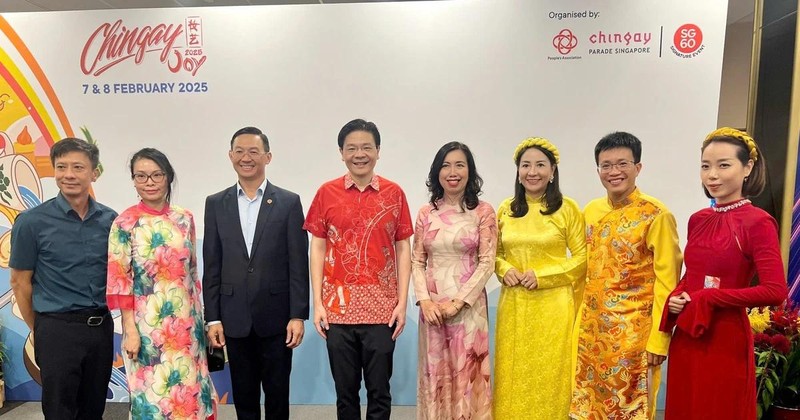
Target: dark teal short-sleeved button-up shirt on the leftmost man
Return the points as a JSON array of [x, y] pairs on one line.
[[68, 255]]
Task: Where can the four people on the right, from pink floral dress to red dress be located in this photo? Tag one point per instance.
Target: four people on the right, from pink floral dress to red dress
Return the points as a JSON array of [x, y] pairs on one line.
[[592, 302]]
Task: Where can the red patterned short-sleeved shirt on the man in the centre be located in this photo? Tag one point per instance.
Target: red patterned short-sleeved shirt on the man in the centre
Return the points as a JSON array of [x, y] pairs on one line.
[[359, 278]]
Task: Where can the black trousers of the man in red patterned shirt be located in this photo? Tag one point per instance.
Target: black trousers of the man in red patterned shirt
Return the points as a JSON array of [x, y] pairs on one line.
[[353, 349]]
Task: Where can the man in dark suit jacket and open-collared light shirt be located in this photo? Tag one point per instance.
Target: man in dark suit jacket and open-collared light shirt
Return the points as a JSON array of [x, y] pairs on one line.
[[255, 279]]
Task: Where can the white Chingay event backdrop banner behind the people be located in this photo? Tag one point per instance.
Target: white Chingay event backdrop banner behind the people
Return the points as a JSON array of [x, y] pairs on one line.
[[487, 73]]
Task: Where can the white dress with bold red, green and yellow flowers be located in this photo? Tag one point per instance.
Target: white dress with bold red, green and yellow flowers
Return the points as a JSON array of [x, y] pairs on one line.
[[152, 270]]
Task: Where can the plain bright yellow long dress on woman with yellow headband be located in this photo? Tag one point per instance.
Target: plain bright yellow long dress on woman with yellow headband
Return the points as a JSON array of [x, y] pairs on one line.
[[534, 327]]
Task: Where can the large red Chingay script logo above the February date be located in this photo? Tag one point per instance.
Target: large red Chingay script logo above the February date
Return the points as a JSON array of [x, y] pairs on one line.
[[113, 43]]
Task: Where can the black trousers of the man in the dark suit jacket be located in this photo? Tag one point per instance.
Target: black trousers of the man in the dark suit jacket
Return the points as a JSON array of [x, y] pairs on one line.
[[258, 363]]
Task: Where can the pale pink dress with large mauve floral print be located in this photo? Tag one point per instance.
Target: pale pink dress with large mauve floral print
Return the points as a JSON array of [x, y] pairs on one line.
[[453, 257]]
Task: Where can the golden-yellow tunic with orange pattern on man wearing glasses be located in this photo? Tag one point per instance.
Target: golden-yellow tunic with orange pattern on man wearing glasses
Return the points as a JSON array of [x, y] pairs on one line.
[[634, 264]]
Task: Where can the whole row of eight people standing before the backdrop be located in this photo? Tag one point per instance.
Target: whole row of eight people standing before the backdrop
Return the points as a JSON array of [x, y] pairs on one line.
[[591, 301]]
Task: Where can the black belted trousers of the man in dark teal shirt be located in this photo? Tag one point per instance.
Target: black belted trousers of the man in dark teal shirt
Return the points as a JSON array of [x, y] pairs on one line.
[[75, 362]]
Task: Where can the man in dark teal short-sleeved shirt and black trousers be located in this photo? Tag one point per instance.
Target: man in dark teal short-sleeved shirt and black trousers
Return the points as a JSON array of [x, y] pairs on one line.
[[58, 274]]
